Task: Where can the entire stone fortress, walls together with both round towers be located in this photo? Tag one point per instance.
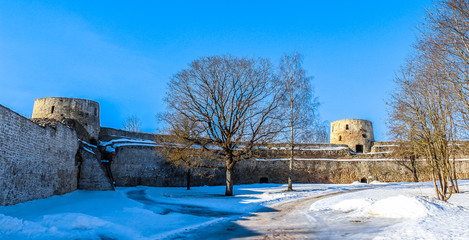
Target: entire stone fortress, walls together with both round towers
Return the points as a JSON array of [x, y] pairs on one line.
[[64, 148]]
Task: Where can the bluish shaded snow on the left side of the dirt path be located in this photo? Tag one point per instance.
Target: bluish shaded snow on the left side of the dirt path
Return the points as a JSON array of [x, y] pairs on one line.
[[143, 212]]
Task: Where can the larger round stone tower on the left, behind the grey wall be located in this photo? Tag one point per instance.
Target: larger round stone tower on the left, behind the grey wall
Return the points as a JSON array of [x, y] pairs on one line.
[[80, 114]]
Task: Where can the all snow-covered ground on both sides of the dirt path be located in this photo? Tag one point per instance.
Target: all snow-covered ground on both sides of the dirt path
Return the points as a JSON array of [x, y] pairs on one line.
[[390, 211]]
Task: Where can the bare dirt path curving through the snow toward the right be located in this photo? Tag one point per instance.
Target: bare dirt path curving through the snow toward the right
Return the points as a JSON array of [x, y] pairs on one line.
[[286, 220]]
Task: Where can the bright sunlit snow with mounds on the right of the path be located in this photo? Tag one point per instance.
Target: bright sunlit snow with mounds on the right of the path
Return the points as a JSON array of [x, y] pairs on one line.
[[394, 211]]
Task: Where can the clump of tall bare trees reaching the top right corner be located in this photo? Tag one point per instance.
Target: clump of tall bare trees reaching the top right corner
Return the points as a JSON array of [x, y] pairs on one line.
[[430, 107]]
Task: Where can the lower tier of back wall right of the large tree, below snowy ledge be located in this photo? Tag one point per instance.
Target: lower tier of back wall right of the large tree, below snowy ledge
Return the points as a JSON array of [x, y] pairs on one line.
[[335, 171]]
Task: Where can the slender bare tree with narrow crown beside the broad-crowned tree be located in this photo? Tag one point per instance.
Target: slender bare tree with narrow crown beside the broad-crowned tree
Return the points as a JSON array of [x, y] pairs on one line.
[[297, 104]]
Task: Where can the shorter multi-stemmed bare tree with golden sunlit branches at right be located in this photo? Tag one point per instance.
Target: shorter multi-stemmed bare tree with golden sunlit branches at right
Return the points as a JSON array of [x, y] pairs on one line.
[[423, 113]]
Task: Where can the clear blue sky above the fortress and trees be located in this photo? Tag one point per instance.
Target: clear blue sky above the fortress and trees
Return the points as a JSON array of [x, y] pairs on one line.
[[122, 53]]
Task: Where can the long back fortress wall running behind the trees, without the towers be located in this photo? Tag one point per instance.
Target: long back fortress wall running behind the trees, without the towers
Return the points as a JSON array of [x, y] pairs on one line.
[[134, 165]]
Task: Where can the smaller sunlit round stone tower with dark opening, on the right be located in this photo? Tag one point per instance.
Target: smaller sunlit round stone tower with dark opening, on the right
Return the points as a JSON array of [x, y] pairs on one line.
[[356, 133]]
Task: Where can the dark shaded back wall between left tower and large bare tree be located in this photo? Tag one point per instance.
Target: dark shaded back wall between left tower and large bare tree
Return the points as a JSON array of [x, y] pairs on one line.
[[136, 162]]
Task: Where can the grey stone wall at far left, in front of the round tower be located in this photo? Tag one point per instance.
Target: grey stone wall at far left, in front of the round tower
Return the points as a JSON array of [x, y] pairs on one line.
[[35, 162]]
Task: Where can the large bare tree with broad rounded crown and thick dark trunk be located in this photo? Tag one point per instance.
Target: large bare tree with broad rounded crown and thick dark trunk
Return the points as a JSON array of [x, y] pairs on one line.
[[233, 99]]
